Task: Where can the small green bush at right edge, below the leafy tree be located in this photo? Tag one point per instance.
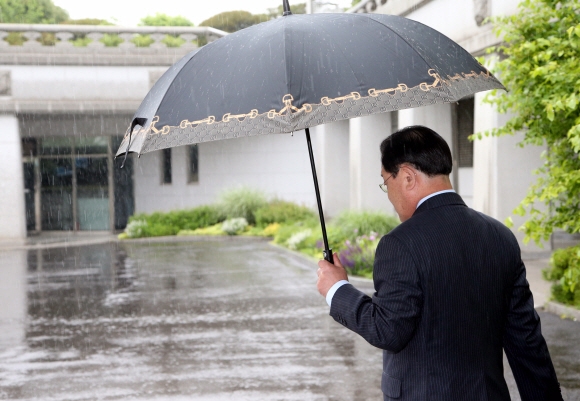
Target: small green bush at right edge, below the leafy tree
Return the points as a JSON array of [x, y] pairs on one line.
[[565, 273]]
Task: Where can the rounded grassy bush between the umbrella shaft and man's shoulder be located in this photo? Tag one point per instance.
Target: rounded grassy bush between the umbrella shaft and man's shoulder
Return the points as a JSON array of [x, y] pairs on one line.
[[357, 223]]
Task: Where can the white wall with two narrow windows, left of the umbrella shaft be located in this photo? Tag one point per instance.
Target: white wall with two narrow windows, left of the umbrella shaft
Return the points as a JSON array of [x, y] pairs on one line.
[[277, 164]]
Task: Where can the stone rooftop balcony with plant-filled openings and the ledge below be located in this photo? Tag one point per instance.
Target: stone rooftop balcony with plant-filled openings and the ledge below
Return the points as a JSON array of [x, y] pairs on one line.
[[99, 45]]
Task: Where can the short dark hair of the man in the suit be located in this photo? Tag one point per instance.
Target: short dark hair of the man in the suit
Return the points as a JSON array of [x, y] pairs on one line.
[[418, 146]]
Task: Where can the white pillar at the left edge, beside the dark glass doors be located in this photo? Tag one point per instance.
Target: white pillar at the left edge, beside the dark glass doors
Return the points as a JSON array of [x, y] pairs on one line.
[[12, 207]]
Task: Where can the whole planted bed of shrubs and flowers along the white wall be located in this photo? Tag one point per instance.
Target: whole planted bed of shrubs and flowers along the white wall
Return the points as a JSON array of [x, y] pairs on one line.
[[354, 235]]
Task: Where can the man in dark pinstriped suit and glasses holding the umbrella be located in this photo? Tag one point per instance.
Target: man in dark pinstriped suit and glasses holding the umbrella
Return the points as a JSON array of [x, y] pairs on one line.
[[450, 290]]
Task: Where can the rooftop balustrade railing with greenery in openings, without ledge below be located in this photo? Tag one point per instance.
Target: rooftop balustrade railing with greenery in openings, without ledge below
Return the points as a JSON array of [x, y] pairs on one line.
[[104, 36]]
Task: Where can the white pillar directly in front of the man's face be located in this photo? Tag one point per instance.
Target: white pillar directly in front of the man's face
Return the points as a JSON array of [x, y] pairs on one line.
[[366, 135]]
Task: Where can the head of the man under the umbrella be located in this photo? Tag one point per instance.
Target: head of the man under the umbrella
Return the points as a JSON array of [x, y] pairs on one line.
[[416, 162]]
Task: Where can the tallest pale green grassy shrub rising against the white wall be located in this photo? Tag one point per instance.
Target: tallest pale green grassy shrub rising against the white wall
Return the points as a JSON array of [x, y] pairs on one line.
[[241, 202]]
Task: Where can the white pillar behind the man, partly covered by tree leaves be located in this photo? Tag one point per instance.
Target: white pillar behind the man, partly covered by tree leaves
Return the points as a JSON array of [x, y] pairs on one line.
[[502, 169]]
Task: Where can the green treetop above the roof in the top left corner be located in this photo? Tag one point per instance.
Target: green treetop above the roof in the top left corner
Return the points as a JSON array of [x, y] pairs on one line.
[[31, 12]]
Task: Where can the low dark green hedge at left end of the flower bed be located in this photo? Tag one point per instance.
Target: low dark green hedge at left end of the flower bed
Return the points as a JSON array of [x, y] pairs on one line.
[[170, 223]]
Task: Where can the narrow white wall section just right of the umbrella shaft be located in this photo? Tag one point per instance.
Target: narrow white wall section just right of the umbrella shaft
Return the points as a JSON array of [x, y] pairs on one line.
[[330, 144]]
